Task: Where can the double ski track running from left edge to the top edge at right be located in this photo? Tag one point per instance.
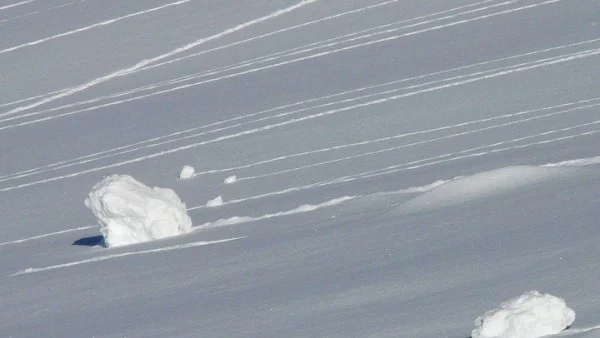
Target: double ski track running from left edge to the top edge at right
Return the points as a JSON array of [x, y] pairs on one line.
[[248, 71]]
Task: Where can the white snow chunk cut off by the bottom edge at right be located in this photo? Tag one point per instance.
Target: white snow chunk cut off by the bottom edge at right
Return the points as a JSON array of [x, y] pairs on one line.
[[531, 315]]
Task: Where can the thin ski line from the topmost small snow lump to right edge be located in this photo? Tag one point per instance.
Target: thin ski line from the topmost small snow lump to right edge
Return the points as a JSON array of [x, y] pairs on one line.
[[388, 138]]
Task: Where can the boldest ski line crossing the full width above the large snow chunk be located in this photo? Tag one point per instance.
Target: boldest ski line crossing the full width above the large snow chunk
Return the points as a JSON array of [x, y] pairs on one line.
[[304, 118]]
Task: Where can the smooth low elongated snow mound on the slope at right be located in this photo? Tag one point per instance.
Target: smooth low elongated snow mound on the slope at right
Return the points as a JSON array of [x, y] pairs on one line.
[[468, 188]]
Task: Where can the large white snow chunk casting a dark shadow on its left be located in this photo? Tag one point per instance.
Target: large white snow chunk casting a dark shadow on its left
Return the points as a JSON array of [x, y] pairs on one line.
[[130, 212]]
